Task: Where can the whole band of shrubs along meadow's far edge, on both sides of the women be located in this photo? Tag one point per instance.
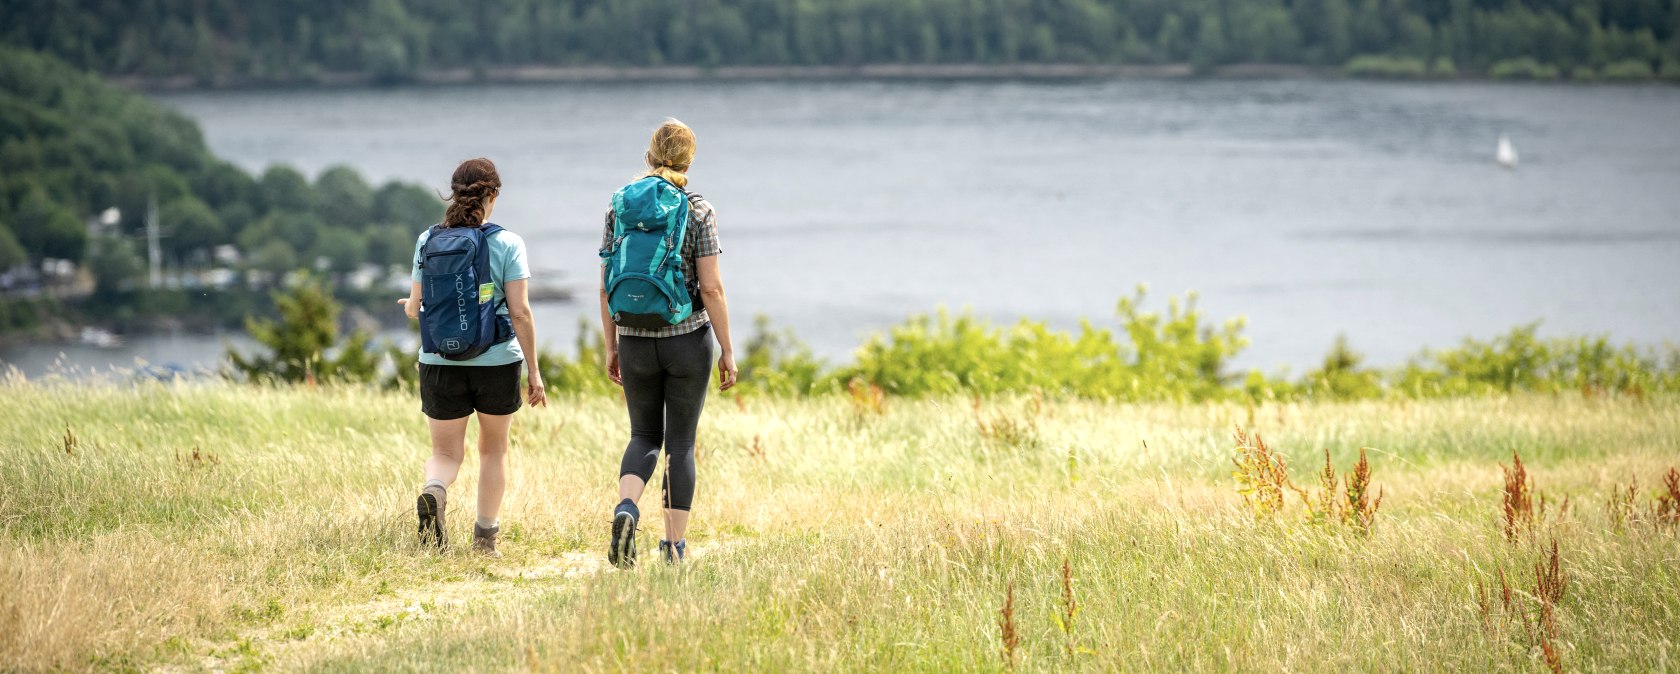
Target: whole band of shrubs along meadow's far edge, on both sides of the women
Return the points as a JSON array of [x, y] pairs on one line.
[[1175, 355]]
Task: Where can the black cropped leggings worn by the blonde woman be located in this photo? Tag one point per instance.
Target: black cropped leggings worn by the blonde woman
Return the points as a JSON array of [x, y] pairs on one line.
[[664, 389]]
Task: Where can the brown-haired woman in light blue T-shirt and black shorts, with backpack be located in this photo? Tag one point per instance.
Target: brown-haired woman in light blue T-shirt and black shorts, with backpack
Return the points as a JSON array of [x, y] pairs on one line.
[[471, 263]]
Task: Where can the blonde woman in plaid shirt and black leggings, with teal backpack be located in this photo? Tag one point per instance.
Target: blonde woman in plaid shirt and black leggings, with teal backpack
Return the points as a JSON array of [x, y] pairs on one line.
[[663, 295]]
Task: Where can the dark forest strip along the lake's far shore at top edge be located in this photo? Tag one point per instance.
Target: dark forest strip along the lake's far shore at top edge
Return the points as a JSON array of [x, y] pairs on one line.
[[399, 39]]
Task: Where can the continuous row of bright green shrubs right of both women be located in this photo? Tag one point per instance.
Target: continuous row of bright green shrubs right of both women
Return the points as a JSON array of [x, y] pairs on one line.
[[1180, 357]]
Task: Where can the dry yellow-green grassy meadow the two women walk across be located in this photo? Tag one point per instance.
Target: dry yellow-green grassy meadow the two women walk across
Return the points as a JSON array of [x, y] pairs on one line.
[[218, 527]]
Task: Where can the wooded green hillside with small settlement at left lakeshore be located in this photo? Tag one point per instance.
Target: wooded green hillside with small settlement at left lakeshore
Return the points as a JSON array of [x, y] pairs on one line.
[[83, 164]]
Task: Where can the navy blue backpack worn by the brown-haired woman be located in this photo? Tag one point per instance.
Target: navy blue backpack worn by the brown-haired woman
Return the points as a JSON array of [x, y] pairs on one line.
[[458, 319]]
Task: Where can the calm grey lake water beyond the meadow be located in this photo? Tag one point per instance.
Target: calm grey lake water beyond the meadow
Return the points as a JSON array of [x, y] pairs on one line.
[[1311, 208]]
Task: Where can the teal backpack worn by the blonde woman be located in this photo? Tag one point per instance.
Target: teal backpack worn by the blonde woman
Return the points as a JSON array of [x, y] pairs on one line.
[[644, 261]]
